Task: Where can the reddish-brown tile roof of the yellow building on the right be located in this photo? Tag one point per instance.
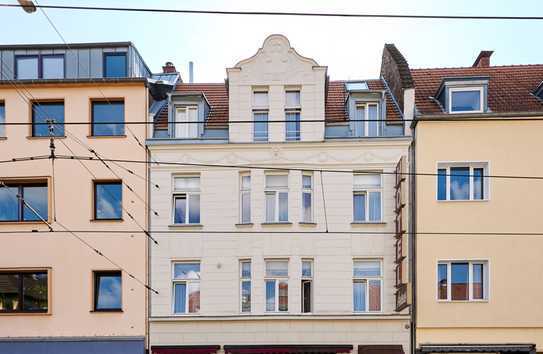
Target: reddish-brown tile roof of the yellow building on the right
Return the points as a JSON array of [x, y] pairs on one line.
[[509, 89]]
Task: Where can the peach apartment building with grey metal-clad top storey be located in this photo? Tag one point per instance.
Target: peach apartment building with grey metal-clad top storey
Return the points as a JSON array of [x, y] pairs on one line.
[[57, 293]]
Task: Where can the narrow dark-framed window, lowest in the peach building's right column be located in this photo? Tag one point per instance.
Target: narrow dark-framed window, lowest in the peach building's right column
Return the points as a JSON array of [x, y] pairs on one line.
[[107, 291]]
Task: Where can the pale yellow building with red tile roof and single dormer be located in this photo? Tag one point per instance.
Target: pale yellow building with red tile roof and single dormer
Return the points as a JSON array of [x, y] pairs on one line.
[[477, 266]]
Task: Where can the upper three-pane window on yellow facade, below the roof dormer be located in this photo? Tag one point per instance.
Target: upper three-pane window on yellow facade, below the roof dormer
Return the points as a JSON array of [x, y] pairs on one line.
[[462, 181]]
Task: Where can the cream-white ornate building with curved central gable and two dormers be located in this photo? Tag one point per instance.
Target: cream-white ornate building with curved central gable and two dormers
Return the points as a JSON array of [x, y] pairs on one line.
[[280, 212]]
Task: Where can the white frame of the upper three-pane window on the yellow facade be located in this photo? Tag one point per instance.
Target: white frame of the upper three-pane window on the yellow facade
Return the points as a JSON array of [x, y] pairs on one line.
[[446, 165]]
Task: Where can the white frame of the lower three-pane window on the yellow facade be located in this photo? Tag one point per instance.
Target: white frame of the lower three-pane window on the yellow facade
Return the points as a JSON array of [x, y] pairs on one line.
[[486, 280]]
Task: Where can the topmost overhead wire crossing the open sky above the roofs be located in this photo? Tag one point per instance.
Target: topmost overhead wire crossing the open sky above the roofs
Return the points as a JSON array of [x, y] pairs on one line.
[[281, 13]]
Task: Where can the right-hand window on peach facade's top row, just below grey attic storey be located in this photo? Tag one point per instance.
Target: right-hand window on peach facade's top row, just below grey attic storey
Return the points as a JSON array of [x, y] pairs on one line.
[[107, 118]]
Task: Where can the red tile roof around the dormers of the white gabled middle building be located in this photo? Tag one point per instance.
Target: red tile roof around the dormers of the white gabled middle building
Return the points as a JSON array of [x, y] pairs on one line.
[[217, 96]]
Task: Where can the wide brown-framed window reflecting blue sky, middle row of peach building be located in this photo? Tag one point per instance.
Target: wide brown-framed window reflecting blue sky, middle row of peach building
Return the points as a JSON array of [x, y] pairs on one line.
[[34, 194]]
